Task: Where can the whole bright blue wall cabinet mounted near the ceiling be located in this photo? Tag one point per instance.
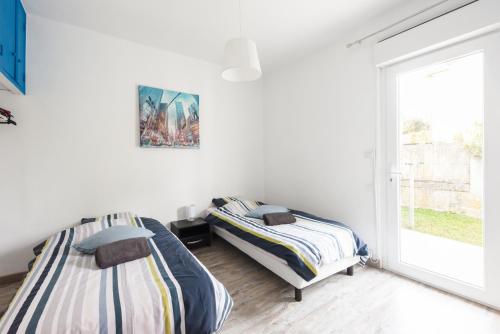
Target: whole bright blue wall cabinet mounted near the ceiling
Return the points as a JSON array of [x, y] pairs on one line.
[[12, 46]]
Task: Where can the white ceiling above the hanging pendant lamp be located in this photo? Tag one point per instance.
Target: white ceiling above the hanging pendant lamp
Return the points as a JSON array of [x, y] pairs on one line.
[[283, 29]]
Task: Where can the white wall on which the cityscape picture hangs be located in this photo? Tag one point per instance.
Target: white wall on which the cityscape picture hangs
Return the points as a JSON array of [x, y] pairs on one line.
[[75, 150]]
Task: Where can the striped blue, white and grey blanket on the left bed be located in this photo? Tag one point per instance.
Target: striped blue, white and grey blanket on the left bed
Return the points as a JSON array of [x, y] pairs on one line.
[[169, 291]]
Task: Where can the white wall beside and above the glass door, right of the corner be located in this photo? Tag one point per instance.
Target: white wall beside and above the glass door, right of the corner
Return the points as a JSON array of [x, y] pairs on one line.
[[320, 117]]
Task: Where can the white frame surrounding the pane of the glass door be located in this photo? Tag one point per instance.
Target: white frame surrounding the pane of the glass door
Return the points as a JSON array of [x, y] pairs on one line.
[[490, 294]]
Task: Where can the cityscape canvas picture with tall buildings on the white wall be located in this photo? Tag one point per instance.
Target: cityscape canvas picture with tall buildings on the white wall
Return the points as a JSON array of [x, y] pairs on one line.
[[168, 118]]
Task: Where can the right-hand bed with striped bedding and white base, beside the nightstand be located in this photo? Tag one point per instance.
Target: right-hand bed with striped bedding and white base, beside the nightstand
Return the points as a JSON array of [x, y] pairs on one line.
[[301, 253]]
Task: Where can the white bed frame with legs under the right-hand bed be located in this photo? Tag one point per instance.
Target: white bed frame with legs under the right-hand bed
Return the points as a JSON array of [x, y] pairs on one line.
[[281, 268]]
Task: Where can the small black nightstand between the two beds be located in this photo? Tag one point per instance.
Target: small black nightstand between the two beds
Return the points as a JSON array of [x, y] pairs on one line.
[[194, 233]]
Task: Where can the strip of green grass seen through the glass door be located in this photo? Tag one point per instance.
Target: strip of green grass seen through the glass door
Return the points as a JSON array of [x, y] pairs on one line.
[[446, 224]]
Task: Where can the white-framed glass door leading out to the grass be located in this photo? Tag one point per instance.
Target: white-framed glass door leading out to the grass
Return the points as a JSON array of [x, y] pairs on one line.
[[438, 109]]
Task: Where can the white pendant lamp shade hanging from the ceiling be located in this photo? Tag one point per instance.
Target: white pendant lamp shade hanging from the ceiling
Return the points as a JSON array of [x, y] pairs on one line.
[[241, 61]]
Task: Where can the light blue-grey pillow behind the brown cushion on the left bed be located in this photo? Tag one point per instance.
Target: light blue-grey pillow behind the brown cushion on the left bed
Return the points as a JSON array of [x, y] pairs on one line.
[[109, 235]]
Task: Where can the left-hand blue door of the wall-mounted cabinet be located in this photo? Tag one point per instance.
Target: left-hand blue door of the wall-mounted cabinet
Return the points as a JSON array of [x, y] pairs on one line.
[[8, 37]]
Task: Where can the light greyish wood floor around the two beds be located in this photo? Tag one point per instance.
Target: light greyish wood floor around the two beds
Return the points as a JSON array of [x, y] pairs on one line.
[[371, 302]]
